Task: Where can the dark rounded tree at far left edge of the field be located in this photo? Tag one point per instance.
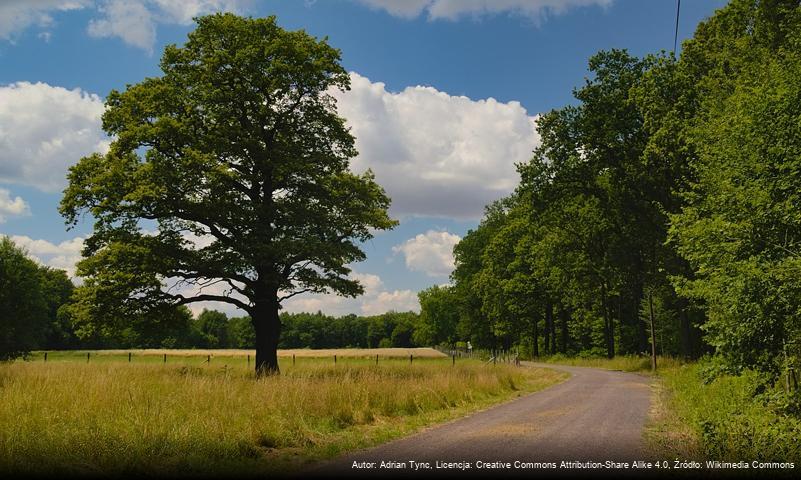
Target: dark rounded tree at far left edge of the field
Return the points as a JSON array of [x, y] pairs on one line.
[[23, 306]]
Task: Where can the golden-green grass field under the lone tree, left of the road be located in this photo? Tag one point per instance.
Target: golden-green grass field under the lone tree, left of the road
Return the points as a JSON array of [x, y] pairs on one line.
[[189, 417]]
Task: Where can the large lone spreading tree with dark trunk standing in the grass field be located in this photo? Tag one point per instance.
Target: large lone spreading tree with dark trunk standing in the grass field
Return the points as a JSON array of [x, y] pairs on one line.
[[238, 143]]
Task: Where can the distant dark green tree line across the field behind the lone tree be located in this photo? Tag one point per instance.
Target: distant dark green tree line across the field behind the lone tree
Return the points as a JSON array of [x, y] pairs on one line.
[[36, 306]]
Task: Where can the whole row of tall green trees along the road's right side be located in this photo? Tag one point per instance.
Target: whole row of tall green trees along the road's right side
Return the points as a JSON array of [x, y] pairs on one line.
[[668, 193]]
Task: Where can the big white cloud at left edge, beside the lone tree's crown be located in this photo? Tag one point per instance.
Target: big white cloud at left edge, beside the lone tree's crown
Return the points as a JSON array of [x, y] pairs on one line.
[[45, 129]]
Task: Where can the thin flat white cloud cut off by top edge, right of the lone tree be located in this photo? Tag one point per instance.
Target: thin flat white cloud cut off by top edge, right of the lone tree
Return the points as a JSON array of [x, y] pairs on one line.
[[455, 9]]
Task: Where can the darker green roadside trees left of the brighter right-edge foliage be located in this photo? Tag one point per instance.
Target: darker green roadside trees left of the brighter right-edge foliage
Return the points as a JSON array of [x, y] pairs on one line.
[[564, 262]]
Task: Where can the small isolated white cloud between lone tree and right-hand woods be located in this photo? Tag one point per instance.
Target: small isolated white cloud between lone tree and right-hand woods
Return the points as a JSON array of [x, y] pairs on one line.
[[430, 252]]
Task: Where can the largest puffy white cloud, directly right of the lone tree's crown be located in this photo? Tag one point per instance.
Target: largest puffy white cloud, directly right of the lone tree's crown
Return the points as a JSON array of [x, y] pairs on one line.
[[434, 153]]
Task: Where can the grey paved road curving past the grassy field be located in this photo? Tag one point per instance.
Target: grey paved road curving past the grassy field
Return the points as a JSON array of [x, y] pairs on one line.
[[595, 415]]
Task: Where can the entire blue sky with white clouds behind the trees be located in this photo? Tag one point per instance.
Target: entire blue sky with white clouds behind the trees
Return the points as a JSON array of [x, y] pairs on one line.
[[443, 101]]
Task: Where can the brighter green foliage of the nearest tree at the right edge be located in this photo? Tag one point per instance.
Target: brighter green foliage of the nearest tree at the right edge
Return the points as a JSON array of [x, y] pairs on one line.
[[741, 226]]
